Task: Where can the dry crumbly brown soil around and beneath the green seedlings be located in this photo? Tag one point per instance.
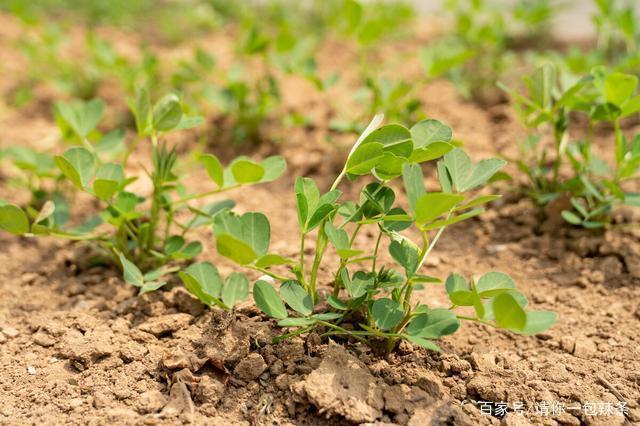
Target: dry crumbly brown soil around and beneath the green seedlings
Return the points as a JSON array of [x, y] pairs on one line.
[[78, 346]]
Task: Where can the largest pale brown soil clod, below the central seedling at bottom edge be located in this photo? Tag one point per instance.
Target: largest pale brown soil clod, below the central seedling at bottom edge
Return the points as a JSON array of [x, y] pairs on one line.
[[342, 385]]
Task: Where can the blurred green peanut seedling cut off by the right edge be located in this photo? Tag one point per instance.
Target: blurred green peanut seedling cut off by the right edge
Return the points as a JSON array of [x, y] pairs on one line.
[[593, 187]]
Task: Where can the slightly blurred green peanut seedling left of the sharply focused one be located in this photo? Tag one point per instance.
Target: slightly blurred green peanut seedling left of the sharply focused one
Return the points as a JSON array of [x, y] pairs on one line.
[[142, 233]]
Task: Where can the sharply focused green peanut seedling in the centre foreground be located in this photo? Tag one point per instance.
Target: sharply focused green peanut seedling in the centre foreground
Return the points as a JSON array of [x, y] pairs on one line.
[[374, 303]]
